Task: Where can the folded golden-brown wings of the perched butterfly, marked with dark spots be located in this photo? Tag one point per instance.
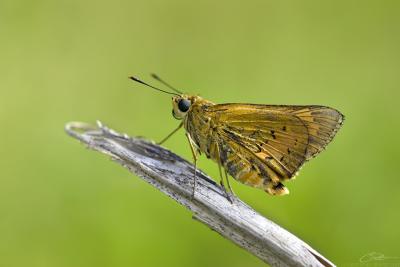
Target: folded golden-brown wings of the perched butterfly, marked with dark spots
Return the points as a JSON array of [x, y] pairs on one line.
[[262, 145]]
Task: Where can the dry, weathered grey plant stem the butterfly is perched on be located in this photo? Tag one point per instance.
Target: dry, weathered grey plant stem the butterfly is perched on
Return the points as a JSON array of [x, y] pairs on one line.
[[173, 176]]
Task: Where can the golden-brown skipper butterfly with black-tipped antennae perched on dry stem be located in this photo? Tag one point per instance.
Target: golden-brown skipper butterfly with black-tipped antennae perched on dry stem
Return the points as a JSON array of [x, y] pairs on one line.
[[259, 145]]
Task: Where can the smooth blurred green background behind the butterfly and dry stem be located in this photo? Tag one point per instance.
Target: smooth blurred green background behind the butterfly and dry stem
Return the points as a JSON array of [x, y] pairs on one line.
[[63, 205]]
